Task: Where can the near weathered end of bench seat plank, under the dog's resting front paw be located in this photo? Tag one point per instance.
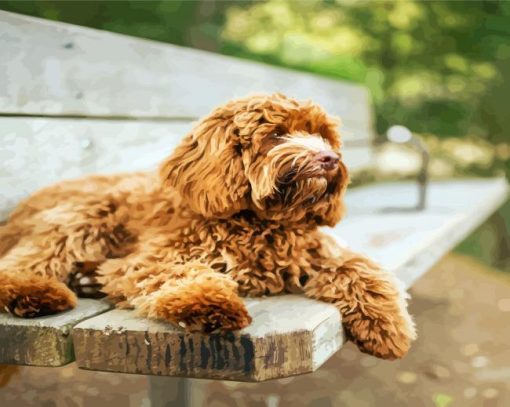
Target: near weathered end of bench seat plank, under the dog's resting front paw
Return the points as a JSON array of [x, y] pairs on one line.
[[277, 344]]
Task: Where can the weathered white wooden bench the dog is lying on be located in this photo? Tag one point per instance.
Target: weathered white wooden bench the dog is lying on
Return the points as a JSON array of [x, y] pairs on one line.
[[76, 100]]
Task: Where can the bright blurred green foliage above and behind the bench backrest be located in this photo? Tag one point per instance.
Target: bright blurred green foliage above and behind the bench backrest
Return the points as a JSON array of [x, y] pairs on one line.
[[437, 67]]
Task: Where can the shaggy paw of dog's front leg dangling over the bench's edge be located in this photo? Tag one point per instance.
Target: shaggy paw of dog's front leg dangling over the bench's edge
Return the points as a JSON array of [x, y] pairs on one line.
[[386, 338]]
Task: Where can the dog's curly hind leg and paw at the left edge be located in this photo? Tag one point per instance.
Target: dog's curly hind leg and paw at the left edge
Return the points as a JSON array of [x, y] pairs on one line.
[[60, 238]]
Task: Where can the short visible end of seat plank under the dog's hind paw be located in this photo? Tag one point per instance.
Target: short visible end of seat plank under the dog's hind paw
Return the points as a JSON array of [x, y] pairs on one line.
[[44, 341]]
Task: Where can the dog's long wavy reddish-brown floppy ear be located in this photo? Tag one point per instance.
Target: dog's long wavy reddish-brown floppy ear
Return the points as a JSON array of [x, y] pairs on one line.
[[207, 169]]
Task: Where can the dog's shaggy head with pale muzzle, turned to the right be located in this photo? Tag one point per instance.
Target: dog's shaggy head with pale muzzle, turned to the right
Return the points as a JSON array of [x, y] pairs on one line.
[[271, 154]]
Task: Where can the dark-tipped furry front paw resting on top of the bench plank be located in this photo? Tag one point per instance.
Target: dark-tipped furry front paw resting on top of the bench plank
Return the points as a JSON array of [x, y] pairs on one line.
[[205, 303]]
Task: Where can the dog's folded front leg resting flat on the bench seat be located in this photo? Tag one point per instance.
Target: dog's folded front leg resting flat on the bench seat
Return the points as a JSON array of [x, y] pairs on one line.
[[190, 294]]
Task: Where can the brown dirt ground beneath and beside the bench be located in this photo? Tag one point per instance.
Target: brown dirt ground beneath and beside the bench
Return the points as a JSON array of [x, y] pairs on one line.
[[462, 358]]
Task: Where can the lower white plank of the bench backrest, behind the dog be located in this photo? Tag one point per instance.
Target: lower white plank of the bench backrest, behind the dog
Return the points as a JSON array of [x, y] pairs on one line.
[[36, 152]]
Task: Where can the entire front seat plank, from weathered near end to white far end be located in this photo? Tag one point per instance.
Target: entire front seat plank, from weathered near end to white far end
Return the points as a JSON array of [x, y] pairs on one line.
[[292, 334]]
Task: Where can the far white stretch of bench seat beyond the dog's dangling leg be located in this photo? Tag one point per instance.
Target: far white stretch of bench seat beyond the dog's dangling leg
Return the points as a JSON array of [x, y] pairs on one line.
[[410, 242]]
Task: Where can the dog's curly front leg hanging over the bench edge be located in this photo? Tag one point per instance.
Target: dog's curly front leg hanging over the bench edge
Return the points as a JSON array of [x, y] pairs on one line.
[[372, 304]]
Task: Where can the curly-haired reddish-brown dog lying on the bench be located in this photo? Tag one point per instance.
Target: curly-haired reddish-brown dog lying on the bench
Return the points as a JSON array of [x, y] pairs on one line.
[[234, 211]]
